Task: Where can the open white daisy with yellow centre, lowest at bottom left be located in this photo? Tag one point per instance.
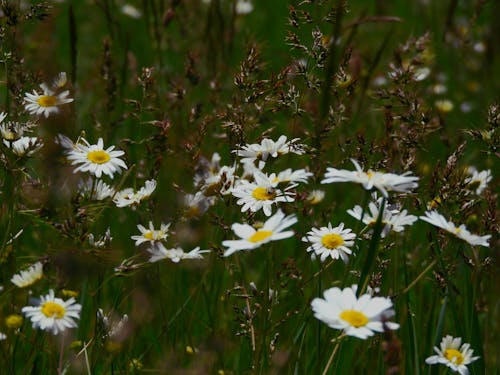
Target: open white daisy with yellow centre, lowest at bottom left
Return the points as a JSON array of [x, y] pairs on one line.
[[53, 314]]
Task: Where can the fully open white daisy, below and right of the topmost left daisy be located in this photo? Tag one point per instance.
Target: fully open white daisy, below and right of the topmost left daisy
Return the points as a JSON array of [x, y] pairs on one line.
[[95, 159]]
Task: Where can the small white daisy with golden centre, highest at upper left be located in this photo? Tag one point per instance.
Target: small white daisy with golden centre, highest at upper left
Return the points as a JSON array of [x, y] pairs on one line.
[[46, 103]]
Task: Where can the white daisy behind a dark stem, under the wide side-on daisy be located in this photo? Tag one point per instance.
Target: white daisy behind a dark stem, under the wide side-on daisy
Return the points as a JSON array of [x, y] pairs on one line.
[[392, 219]]
